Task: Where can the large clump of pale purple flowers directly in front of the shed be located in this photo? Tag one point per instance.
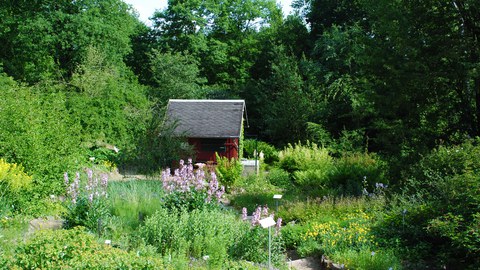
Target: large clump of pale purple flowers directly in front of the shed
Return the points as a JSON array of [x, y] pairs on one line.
[[190, 189]]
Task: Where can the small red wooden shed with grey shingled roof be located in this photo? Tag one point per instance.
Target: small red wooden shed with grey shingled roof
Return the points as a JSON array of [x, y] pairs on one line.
[[210, 125]]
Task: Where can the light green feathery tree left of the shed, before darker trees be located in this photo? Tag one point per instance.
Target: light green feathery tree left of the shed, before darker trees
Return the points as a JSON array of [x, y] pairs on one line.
[[108, 103]]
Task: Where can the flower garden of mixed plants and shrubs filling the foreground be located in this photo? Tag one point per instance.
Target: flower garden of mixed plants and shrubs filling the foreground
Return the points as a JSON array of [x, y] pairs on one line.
[[339, 208]]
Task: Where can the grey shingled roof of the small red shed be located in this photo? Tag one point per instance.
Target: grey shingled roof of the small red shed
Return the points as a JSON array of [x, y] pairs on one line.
[[207, 118]]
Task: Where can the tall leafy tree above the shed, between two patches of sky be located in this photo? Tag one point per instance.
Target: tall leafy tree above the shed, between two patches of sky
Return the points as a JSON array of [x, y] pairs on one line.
[[221, 35]]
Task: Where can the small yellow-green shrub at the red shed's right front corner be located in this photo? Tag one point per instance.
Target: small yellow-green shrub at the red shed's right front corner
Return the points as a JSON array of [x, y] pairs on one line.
[[229, 171]]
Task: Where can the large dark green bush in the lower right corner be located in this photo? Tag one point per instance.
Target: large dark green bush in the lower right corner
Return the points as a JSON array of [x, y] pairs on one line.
[[438, 214]]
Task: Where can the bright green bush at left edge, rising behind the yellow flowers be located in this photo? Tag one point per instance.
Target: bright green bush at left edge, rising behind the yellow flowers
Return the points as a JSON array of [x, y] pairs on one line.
[[38, 132]]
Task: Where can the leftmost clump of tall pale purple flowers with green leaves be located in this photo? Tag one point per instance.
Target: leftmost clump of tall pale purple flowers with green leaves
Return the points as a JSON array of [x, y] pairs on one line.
[[86, 206]]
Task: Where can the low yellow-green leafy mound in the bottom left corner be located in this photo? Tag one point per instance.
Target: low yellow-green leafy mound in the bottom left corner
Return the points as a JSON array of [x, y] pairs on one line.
[[74, 249]]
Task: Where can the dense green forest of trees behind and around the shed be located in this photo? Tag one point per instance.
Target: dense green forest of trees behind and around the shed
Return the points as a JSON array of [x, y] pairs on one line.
[[396, 78]]
